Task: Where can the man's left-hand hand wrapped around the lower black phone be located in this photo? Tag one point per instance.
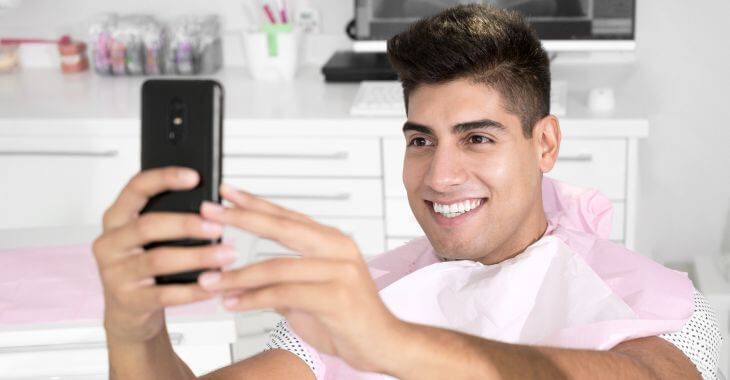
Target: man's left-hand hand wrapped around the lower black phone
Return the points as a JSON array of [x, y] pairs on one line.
[[134, 305]]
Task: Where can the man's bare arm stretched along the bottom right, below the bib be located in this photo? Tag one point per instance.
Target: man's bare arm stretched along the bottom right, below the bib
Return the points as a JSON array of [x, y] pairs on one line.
[[433, 353]]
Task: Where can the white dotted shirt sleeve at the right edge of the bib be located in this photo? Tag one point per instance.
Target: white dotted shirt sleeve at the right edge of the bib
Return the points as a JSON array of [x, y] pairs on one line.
[[700, 338]]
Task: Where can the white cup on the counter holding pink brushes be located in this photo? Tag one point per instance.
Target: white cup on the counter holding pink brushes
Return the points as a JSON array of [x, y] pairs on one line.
[[272, 53]]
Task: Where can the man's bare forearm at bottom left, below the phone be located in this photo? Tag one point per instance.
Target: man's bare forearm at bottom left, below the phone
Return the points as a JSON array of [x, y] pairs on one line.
[[154, 359]]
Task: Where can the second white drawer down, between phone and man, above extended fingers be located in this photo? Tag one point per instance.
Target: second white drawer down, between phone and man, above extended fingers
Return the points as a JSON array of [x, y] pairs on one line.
[[318, 197]]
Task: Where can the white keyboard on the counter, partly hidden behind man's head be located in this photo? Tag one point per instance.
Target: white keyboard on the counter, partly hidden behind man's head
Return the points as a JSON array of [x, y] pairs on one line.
[[385, 98]]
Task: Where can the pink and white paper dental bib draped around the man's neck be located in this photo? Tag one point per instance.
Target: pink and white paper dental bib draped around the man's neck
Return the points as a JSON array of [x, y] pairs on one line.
[[572, 288]]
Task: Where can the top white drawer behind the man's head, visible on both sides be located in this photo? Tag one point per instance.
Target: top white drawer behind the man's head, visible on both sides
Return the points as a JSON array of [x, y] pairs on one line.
[[596, 163]]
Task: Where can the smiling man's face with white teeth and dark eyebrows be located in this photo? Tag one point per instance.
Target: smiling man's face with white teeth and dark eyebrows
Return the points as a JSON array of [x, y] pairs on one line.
[[466, 157]]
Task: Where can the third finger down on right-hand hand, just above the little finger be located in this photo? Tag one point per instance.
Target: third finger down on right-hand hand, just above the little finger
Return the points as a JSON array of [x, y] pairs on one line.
[[280, 270]]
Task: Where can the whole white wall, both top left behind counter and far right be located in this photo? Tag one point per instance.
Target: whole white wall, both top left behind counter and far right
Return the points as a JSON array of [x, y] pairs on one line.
[[683, 59]]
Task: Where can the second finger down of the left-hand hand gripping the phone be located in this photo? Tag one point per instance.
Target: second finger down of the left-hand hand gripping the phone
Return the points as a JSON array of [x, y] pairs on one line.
[[152, 227]]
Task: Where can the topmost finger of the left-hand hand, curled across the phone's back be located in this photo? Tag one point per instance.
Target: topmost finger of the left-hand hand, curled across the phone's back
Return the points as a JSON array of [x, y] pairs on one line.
[[141, 188]]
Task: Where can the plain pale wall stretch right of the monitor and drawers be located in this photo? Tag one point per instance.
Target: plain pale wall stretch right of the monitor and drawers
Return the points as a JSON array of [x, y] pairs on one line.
[[684, 55]]
